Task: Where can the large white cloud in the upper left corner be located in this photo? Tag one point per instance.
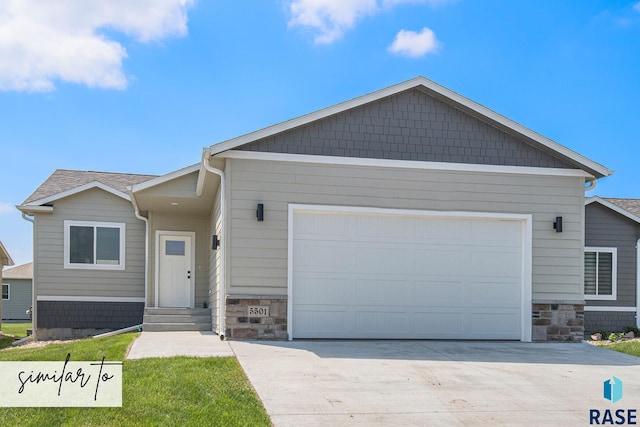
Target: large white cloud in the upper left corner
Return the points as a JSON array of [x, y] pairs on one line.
[[44, 41]]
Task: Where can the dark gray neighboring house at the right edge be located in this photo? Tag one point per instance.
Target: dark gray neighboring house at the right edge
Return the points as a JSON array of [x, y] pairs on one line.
[[612, 251]]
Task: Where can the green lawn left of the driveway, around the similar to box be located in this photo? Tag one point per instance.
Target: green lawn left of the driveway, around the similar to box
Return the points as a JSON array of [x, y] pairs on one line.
[[156, 392]]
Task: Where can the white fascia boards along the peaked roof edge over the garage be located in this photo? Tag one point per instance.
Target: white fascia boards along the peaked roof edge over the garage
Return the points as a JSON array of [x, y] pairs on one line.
[[392, 90]]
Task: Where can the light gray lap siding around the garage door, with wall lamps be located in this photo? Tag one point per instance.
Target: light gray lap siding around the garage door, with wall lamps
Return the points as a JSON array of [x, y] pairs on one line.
[[259, 249]]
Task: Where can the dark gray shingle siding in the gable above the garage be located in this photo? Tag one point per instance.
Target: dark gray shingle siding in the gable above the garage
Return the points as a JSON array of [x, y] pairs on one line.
[[408, 126]]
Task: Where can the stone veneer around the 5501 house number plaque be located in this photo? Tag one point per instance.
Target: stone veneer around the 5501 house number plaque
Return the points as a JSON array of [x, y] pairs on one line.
[[240, 326]]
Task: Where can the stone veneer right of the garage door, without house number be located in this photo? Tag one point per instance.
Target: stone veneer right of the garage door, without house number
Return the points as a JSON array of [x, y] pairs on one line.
[[558, 322]]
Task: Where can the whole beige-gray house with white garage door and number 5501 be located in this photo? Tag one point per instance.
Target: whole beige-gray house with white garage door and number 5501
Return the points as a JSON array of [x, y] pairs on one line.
[[410, 212]]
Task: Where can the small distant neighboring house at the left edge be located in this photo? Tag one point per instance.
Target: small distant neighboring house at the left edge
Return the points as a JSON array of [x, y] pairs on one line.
[[17, 292]]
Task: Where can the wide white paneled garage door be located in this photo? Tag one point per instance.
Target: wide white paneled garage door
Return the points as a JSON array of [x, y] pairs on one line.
[[391, 274]]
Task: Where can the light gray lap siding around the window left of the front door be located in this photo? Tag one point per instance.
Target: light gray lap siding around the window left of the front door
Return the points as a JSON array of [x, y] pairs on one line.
[[91, 205]]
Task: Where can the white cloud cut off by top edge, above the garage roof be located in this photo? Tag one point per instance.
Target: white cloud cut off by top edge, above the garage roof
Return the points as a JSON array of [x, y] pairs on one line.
[[328, 20]]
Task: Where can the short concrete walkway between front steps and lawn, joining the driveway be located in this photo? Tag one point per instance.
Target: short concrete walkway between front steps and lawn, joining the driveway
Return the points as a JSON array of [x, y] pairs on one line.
[[187, 343]]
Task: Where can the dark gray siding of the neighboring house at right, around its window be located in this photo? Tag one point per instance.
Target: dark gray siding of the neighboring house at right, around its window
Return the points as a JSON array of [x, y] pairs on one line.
[[606, 228]]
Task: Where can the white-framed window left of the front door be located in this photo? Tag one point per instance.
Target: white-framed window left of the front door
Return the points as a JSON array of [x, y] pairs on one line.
[[94, 245]]
